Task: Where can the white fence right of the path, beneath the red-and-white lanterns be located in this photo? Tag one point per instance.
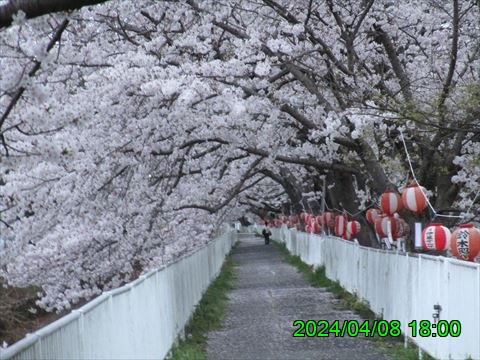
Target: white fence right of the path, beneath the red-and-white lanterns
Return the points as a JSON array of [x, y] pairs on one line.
[[402, 287]]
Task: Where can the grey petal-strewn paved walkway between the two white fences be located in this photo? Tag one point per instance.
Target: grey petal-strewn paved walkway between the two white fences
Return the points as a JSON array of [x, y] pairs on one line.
[[267, 296]]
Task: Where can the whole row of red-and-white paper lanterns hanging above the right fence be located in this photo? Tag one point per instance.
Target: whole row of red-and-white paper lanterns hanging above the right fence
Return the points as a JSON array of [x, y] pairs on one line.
[[464, 242]]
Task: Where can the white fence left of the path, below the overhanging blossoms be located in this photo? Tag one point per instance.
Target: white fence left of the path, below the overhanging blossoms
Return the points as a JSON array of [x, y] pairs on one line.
[[140, 320]]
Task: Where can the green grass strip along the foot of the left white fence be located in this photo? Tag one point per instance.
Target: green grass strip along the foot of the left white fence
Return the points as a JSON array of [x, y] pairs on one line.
[[208, 316]]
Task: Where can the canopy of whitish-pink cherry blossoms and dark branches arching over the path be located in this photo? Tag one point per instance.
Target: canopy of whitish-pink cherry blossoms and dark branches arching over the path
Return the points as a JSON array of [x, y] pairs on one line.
[[131, 131]]
